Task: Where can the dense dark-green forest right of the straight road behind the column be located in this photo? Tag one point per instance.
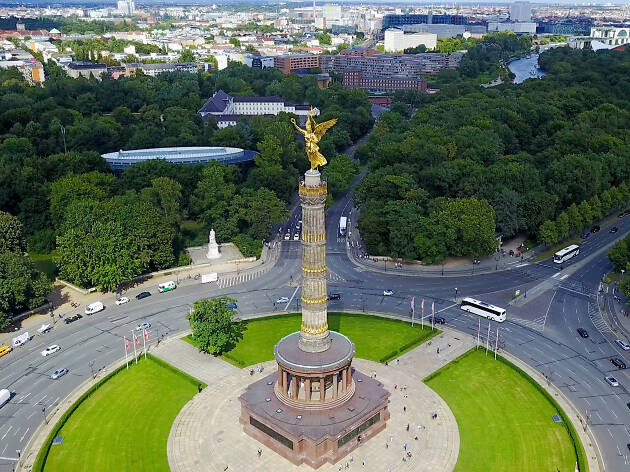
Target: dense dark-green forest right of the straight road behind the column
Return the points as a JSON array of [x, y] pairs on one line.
[[547, 158]]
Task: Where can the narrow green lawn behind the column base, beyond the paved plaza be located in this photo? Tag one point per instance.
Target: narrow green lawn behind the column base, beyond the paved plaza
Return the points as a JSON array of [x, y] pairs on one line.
[[378, 339]]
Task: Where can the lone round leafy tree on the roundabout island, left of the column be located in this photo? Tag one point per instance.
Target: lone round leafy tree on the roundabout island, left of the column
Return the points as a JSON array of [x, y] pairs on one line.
[[213, 327]]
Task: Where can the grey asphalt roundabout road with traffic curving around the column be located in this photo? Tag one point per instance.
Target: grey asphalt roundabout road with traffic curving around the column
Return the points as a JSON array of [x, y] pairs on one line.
[[540, 330]]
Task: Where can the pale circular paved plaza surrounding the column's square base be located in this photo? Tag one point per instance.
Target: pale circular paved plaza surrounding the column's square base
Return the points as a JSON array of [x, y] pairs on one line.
[[206, 435]]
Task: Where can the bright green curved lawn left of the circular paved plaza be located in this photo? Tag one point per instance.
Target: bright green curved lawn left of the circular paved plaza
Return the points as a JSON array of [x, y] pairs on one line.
[[125, 424]]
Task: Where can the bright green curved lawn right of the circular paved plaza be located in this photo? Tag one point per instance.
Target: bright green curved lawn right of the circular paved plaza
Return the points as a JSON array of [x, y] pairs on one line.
[[504, 421]]
